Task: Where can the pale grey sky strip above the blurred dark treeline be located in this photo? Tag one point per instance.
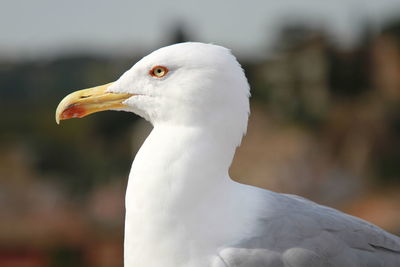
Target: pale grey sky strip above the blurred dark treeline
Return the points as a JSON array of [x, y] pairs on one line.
[[40, 28]]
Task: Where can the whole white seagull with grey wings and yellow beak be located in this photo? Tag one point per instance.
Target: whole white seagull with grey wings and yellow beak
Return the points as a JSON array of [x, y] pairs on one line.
[[182, 207]]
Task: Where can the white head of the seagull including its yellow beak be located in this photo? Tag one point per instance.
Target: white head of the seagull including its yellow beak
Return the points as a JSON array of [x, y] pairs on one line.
[[189, 84]]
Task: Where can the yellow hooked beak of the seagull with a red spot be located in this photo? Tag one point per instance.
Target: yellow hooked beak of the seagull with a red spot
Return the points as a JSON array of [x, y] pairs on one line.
[[84, 102]]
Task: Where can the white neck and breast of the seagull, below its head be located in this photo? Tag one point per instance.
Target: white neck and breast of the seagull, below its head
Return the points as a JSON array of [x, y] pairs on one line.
[[179, 195]]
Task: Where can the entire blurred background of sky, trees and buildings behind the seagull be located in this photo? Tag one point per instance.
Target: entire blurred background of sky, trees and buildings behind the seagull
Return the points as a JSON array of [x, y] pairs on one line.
[[325, 122]]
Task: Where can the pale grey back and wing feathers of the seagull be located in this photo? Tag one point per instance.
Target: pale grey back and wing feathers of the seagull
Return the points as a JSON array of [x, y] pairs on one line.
[[310, 235]]
